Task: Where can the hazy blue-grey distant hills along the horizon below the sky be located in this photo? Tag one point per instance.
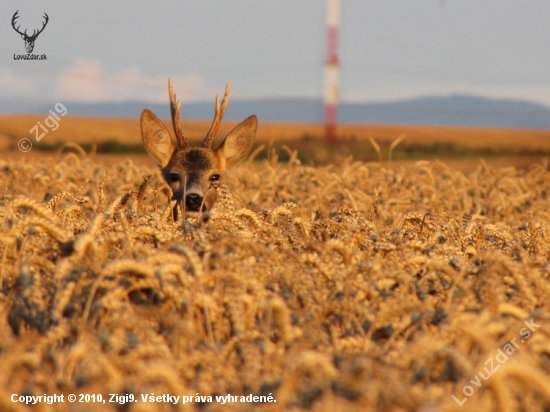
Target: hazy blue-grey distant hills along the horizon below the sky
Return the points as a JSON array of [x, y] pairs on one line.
[[455, 110]]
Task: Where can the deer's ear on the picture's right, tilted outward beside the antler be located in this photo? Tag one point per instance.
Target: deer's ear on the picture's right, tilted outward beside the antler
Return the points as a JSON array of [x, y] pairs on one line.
[[238, 142]]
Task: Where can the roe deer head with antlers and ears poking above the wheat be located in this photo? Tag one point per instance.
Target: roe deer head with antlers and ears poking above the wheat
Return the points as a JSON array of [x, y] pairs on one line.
[[190, 170]]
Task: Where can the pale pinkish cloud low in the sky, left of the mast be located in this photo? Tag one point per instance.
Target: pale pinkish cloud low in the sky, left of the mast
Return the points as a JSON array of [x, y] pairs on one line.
[[88, 81]]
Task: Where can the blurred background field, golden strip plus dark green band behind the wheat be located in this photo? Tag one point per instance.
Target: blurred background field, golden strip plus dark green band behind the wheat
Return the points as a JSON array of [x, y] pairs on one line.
[[460, 146]]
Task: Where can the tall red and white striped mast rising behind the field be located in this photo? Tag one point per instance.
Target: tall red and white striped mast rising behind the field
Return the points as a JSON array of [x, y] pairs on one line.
[[331, 69]]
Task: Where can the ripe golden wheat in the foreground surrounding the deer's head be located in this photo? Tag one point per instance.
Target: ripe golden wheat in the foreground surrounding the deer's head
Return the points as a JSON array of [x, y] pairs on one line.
[[364, 286]]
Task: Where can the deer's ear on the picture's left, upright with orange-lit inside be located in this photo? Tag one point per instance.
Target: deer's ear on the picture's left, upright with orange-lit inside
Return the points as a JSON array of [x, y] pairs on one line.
[[156, 138]]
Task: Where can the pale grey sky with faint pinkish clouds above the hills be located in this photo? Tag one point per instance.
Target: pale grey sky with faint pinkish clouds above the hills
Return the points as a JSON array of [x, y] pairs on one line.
[[389, 49]]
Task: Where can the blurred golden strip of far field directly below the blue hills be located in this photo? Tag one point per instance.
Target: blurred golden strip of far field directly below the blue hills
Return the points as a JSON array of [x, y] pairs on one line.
[[88, 130]]
